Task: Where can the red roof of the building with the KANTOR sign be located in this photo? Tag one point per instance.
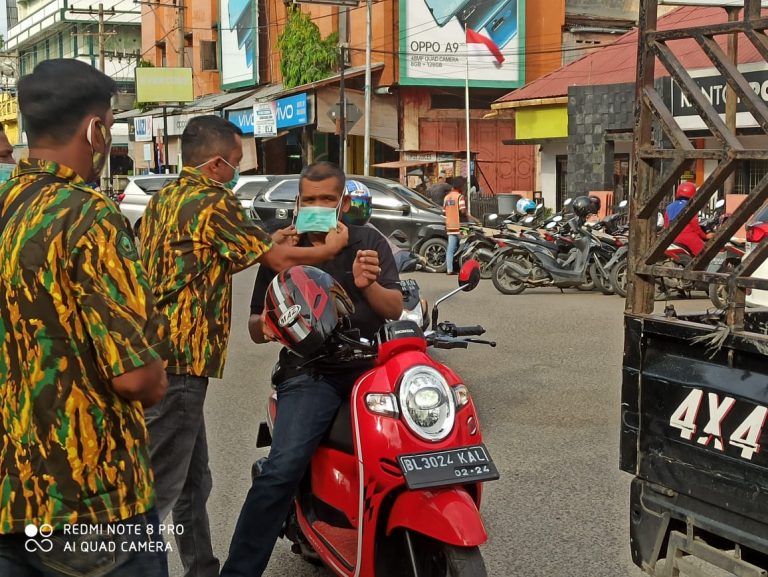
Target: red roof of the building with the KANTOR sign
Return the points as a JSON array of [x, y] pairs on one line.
[[615, 63]]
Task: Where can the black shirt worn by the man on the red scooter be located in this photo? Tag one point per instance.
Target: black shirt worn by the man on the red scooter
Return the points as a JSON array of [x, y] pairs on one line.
[[340, 268]]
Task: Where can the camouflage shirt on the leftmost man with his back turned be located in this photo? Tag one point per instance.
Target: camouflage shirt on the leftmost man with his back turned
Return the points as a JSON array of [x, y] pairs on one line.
[[75, 311]]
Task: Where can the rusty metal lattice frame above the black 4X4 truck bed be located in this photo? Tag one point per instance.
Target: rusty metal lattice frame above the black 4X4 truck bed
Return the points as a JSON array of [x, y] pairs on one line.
[[662, 152]]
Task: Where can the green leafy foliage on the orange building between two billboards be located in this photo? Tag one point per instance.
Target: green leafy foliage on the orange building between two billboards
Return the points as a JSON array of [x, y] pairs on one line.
[[304, 55]]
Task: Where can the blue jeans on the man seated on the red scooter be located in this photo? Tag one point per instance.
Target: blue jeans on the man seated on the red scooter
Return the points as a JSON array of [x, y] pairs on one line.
[[306, 406]]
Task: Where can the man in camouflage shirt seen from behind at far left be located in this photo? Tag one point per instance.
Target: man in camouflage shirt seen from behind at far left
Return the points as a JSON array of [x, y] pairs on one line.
[[81, 348]]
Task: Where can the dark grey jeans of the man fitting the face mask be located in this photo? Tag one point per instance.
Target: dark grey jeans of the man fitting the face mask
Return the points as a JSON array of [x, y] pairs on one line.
[[179, 451]]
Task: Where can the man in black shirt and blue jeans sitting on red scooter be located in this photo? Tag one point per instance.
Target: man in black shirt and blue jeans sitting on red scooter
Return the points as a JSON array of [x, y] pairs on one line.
[[310, 393]]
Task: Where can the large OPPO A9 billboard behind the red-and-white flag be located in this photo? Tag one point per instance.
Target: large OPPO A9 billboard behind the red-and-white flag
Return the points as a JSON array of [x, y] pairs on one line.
[[433, 48]]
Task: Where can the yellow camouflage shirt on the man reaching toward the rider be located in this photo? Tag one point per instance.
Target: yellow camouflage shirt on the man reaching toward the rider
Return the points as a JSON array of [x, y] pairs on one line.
[[194, 235]]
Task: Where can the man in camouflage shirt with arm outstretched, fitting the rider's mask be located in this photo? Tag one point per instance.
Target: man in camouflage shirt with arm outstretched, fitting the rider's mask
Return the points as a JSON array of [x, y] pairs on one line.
[[194, 236]]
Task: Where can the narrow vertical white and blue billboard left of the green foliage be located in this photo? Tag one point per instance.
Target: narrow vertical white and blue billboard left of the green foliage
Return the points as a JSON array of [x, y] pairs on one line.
[[238, 34]]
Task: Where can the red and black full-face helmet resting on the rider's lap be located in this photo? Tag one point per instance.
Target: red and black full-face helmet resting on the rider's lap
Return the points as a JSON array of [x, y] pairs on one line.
[[303, 307]]
